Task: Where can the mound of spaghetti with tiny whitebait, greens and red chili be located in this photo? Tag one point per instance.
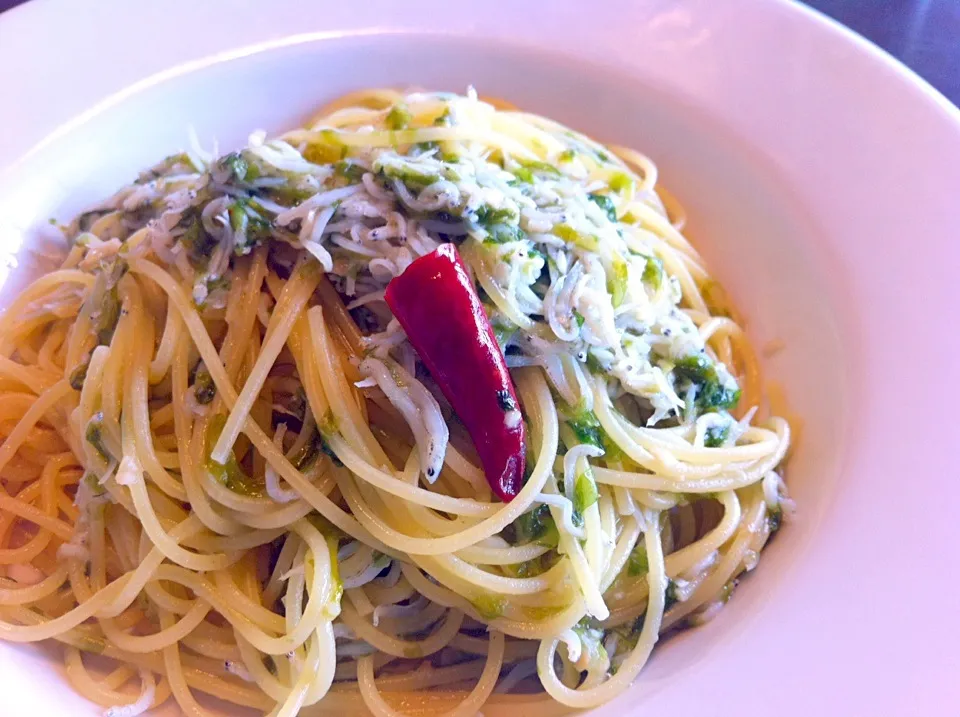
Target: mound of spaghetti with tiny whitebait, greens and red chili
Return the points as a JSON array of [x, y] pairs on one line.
[[427, 407]]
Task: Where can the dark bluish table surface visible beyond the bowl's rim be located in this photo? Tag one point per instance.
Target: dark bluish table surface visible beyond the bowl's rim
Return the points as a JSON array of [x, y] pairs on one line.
[[923, 34]]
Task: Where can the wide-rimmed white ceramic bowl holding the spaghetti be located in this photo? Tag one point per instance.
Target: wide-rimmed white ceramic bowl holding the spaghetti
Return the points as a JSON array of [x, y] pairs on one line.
[[820, 178]]
